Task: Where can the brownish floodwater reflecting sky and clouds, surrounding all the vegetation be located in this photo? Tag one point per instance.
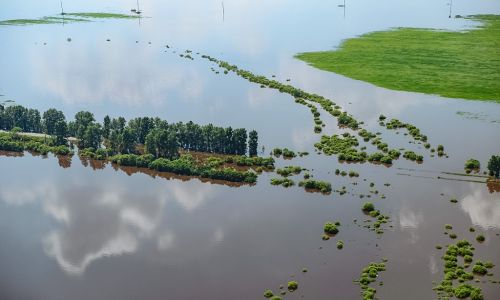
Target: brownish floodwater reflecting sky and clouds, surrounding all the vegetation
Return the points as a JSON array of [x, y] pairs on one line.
[[70, 231]]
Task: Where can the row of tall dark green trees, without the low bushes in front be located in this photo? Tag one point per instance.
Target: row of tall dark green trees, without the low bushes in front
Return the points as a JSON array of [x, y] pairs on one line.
[[156, 135]]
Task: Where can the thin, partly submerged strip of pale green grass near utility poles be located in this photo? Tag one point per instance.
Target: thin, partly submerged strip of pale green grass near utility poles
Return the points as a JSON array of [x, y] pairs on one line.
[[66, 18]]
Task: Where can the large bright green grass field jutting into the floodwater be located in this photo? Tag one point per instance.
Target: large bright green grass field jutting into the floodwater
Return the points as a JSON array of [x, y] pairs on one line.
[[454, 64]]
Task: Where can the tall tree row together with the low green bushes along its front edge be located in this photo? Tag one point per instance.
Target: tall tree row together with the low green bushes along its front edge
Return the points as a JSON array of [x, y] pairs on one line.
[[142, 142]]
